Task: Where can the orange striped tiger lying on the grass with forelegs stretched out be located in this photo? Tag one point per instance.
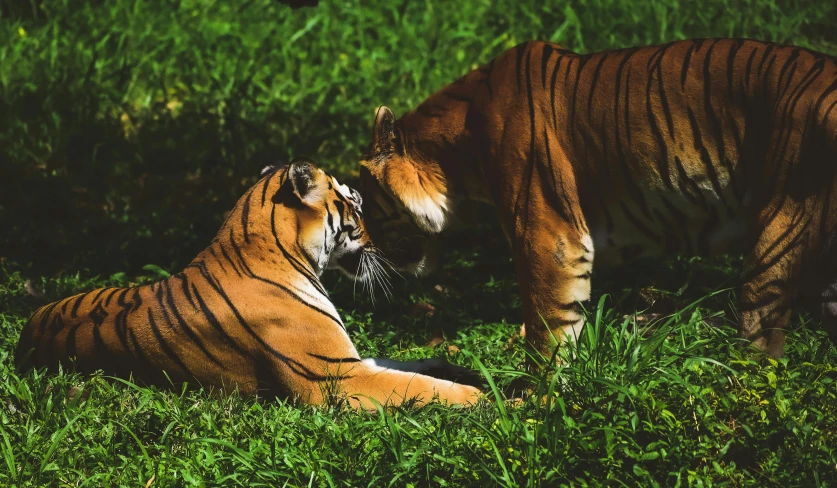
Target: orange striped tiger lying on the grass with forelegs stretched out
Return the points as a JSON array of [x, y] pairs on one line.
[[249, 313]]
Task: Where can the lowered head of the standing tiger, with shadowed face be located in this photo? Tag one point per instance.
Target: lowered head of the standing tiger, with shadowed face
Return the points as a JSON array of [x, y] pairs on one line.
[[406, 198]]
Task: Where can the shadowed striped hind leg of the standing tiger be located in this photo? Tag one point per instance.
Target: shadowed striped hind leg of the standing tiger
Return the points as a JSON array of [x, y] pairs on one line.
[[771, 273]]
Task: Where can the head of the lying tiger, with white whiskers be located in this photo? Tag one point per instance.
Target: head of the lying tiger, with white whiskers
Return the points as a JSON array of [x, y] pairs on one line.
[[324, 215]]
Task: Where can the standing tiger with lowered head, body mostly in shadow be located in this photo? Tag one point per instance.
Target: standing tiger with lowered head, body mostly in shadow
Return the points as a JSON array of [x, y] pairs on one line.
[[695, 147]]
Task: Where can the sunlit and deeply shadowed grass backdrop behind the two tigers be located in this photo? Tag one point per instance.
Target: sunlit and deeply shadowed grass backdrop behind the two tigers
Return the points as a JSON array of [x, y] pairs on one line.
[[130, 127]]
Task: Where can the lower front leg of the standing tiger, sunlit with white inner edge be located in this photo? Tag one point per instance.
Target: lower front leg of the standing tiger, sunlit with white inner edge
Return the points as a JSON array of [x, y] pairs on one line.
[[554, 264]]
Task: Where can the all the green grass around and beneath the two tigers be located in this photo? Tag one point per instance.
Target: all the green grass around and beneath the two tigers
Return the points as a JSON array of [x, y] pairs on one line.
[[130, 127]]
